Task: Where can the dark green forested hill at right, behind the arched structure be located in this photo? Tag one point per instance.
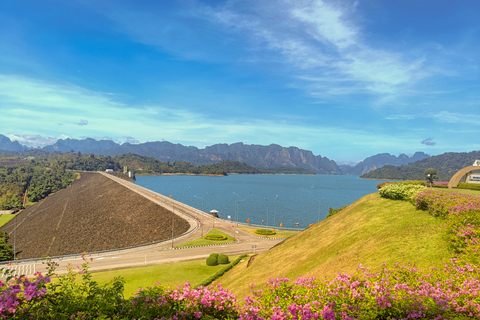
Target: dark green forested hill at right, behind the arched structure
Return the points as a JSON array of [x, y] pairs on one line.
[[446, 164]]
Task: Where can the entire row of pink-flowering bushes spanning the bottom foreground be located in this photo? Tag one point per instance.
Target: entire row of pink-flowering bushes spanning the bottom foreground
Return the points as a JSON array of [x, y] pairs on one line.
[[451, 292]]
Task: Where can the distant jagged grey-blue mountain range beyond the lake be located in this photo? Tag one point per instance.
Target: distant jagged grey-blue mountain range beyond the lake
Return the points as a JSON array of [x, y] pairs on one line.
[[265, 157]]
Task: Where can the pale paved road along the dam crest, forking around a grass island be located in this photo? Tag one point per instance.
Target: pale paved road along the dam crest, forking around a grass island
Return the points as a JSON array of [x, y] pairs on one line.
[[163, 253]]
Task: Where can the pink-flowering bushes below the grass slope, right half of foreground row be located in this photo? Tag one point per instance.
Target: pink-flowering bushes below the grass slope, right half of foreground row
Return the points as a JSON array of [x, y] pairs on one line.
[[399, 293]]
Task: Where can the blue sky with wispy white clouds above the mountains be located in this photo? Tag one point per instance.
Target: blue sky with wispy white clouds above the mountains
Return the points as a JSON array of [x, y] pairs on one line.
[[344, 79]]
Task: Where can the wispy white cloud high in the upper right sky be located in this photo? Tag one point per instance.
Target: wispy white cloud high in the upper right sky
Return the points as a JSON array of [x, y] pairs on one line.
[[323, 40]]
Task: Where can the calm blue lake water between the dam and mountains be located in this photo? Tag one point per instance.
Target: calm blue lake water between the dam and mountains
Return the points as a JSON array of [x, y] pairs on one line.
[[272, 198]]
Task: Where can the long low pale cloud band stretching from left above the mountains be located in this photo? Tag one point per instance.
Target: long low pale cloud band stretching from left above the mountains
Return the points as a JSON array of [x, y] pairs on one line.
[[51, 103]]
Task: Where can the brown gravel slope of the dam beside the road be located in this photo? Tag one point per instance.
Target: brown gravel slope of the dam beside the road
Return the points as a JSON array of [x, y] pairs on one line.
[[93, 214]]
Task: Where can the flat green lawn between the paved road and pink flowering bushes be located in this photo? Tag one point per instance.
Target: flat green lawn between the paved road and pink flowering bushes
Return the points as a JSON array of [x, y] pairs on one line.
[[194, 272]]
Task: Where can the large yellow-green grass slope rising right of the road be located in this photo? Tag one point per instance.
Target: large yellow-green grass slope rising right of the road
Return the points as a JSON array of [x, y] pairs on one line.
[[371, 231]]
